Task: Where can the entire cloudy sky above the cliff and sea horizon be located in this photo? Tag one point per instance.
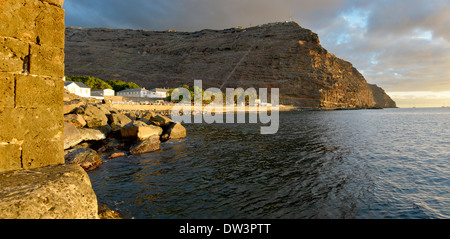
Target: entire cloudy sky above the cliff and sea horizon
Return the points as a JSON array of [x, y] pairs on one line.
[[402, 46]]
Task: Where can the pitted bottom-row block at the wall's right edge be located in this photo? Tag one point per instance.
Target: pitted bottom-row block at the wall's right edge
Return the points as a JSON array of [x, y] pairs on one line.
[[42, 153]]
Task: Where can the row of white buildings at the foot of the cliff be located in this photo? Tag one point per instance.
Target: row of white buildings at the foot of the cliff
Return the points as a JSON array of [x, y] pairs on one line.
[[83, 90]]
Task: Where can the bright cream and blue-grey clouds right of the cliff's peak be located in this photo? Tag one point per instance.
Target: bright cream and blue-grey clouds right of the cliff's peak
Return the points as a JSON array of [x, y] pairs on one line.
[[399, 45]]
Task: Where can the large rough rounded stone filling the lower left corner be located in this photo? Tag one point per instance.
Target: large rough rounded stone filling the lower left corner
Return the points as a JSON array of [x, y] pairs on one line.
[[55, 192]]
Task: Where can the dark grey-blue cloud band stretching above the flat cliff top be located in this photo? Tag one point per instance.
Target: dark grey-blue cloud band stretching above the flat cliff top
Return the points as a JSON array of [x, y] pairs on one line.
[[192, 15]]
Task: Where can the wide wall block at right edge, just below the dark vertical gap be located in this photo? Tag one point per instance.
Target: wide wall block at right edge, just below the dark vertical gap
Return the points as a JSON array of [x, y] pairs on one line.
[[36, 92]]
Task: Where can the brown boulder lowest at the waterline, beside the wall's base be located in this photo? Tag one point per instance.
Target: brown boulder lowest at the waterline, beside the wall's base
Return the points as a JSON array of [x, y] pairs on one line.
[[87, 158]]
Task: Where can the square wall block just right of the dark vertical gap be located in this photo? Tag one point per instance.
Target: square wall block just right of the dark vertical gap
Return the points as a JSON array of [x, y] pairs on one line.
[[47, 61]]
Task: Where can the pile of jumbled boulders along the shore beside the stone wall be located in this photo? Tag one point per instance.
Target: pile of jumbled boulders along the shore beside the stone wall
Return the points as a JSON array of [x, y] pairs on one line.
[[94, 131]]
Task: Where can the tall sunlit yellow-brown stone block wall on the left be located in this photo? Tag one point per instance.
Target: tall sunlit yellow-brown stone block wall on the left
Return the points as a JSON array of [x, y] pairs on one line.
[[31, 86]]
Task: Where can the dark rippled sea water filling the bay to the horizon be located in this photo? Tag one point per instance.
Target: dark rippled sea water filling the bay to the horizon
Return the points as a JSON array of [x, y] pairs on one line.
[[392, 163]]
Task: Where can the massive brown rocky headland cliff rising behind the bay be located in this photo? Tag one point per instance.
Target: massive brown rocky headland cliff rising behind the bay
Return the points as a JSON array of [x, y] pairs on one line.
[[278, 55]]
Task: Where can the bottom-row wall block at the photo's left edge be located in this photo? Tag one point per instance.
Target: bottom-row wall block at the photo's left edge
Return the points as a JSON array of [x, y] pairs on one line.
[[10, 156]]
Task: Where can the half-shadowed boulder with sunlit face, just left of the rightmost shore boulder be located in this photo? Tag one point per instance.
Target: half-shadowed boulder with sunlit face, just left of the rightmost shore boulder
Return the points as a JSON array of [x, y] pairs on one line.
[[140, 130]]
